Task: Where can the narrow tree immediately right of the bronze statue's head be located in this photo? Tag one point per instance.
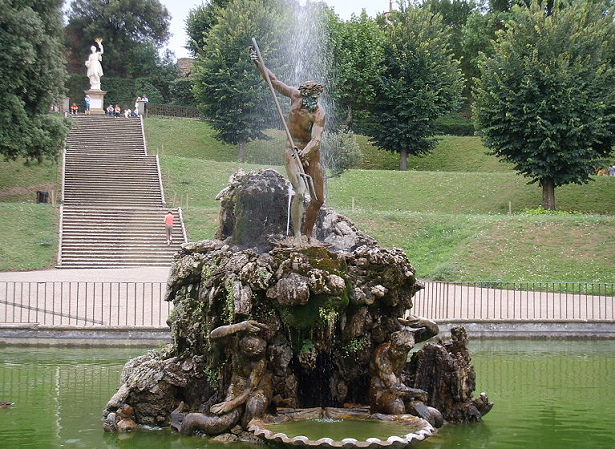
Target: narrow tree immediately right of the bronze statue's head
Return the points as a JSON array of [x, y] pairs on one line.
[[357, 48]]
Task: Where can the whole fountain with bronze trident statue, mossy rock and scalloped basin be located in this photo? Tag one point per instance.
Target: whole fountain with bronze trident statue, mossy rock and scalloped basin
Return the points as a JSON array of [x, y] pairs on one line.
[[271, 334]]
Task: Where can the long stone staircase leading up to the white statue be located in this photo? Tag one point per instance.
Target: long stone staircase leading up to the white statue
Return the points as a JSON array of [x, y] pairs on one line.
[[113, 207]]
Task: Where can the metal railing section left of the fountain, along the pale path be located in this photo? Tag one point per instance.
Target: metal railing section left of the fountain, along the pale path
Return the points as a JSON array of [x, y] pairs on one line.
[[80, 304]]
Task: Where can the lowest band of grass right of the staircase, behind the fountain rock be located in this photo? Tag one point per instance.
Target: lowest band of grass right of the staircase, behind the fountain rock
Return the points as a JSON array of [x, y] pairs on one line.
[[464, 247]]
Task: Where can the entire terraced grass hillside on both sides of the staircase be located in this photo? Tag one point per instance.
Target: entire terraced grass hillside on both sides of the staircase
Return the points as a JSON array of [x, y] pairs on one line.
[[448, 213]]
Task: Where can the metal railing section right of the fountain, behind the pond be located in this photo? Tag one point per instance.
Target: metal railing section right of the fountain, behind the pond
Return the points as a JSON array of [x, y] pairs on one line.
[[516, 301]]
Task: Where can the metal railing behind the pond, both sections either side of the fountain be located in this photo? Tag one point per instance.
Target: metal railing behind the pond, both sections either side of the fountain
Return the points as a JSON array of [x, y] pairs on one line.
[[141, 304]]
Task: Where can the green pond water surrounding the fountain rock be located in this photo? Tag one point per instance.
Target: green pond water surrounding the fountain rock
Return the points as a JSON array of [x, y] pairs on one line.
[[547, 394]]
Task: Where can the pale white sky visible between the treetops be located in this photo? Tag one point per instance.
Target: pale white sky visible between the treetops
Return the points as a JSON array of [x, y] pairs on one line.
[[179, 10]]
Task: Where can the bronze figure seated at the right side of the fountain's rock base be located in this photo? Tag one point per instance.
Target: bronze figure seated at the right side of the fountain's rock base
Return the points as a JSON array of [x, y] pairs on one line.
[[387, 392]]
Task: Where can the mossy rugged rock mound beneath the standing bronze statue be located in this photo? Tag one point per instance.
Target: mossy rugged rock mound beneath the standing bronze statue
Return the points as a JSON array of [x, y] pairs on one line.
[[317, 312]]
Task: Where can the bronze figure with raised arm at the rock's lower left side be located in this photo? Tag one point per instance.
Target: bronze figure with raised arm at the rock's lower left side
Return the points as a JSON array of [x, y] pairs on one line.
[[250, 391]]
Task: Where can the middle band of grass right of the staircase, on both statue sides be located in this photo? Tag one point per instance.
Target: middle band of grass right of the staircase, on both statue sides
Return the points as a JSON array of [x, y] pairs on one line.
[[414, 191]]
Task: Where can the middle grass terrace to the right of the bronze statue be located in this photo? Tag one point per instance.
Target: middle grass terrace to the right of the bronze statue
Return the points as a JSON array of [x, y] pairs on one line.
[[465, 192]]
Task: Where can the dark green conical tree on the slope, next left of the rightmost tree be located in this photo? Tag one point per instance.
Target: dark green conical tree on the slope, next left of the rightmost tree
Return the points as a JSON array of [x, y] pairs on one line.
[[420, 82]]
